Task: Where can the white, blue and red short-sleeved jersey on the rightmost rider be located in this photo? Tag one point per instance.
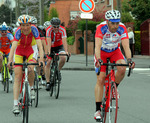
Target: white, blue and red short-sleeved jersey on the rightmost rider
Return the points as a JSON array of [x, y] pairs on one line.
[[110, 40]]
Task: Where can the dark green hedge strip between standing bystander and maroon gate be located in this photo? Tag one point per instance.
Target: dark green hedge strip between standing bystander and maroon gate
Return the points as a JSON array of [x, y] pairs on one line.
[[137, 42]]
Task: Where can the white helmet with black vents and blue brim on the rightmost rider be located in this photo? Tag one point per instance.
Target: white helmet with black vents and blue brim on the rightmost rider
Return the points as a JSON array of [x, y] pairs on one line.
[[113, 15]]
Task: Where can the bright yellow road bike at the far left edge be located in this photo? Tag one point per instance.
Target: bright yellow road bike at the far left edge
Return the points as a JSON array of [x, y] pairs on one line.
[[5, 73]]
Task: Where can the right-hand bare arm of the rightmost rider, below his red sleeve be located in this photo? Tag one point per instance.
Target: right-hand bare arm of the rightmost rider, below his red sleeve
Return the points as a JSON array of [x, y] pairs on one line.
[[125, 44]]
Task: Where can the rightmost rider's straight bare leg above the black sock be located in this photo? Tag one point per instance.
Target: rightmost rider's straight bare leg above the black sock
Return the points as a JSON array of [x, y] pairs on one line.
[[99, 87]]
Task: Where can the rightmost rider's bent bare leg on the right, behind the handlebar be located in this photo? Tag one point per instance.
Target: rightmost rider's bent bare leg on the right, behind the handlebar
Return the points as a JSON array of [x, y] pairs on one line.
[[120, 71]]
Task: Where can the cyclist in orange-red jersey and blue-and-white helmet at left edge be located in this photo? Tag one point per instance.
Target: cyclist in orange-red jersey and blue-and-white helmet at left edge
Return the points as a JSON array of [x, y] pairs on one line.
[[5, 42]]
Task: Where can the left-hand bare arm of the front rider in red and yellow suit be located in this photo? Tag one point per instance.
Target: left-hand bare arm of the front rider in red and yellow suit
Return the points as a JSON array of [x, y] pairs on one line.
[[12, 50]]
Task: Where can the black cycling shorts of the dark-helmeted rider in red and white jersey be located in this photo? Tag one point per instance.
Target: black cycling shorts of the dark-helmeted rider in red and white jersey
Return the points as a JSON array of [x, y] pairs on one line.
[[58, 49]]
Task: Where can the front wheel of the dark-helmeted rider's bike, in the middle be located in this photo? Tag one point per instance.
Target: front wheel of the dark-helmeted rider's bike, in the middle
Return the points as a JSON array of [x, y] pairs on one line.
[[56, 84]]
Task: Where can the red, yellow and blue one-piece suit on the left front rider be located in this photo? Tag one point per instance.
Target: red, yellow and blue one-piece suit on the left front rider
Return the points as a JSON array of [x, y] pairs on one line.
[[26, 44]]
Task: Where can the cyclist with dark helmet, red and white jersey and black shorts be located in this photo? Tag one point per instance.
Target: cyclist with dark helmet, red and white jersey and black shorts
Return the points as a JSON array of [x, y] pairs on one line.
[[56, 39]]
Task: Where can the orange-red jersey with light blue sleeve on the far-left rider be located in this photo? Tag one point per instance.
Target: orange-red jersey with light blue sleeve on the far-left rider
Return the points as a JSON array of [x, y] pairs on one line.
[[5, 43]]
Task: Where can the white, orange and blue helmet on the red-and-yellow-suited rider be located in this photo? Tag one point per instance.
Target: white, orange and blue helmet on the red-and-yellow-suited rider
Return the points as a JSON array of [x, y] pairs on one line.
[[24, 19]]
